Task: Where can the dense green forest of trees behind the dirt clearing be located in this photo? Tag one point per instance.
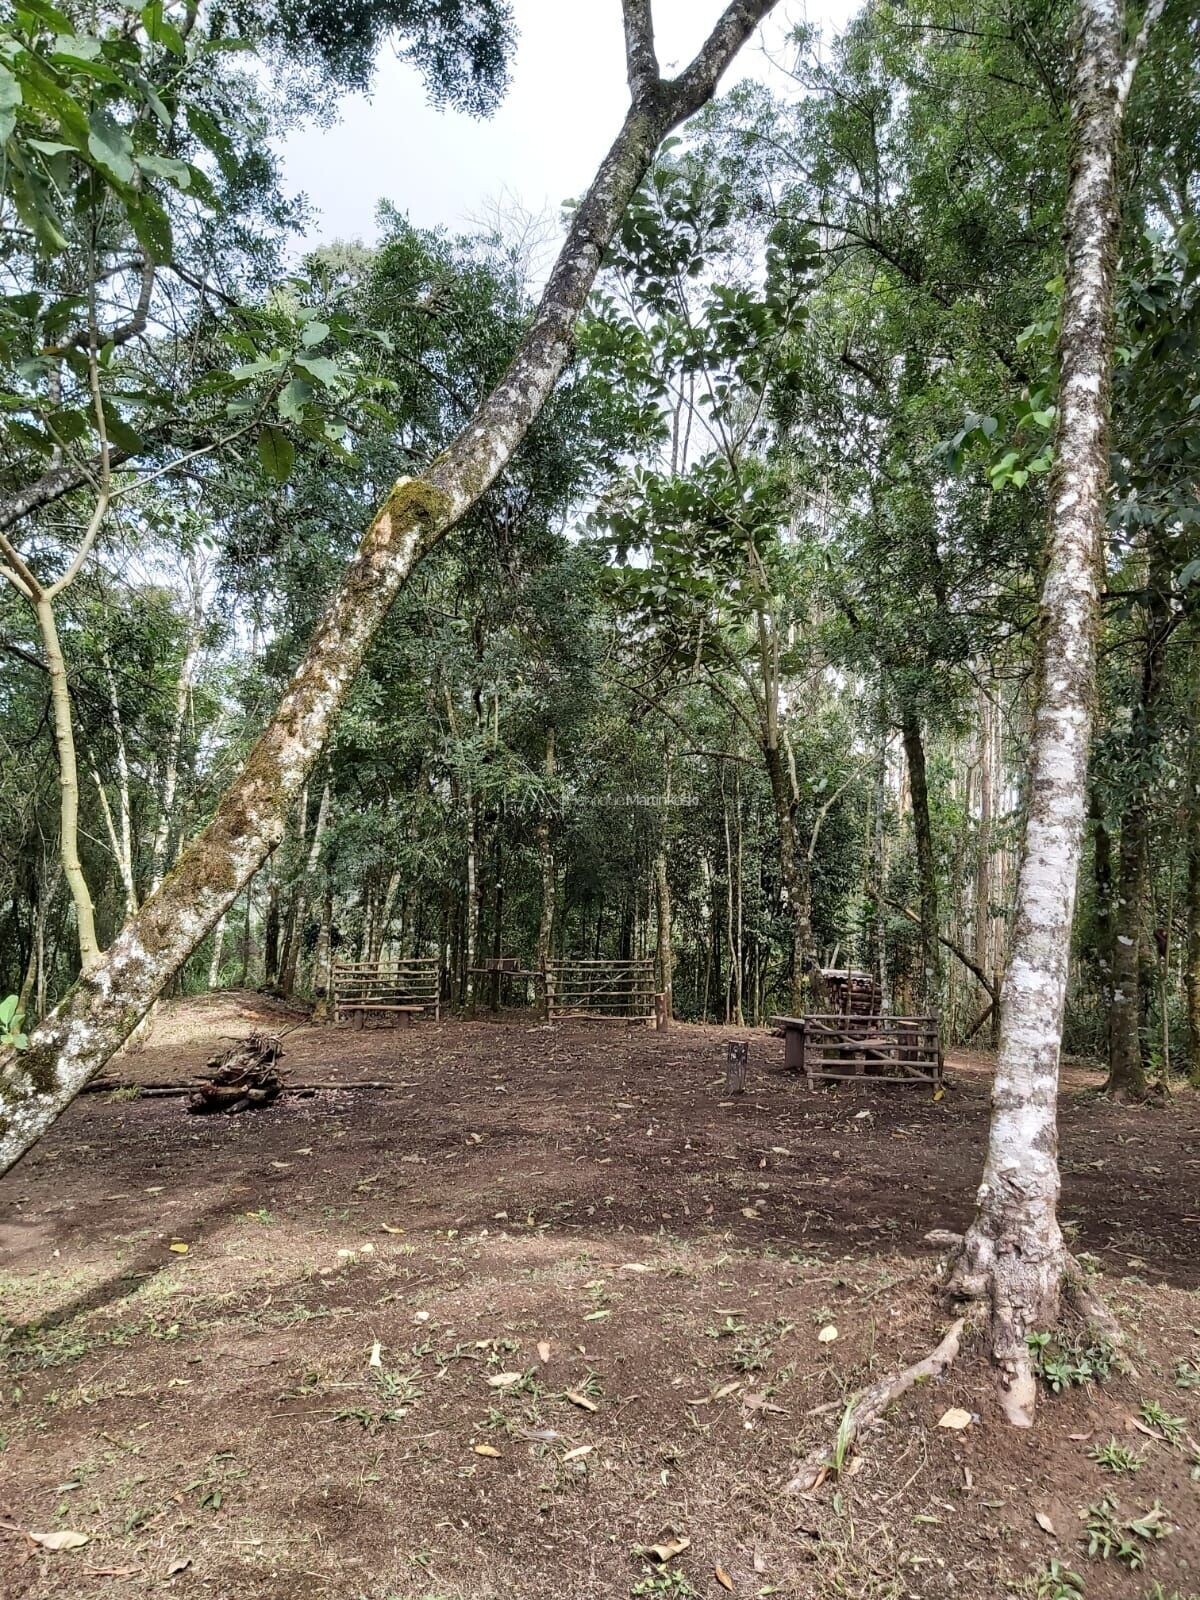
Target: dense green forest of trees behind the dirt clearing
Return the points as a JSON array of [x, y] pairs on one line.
[[734, 668]]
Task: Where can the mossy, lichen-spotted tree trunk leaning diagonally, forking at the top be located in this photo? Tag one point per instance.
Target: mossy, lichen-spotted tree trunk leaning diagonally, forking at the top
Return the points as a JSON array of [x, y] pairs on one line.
[[118, 990]]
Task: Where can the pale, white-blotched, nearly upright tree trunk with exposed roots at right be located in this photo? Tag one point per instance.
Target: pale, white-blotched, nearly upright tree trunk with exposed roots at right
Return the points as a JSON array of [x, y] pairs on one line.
[[1014, 1254]]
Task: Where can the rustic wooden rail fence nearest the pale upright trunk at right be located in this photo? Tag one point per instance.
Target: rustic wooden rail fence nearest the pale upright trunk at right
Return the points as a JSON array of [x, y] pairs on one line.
[[886, 1049]]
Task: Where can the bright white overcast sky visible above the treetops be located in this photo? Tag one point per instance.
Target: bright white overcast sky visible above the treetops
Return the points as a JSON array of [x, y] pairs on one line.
[[562, 111]]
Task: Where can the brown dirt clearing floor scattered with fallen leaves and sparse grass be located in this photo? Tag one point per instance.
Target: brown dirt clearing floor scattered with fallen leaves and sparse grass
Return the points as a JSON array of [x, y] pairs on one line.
[[190, 1311]]
